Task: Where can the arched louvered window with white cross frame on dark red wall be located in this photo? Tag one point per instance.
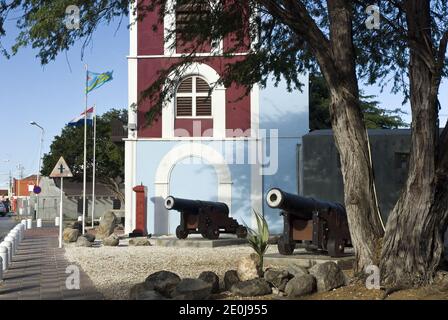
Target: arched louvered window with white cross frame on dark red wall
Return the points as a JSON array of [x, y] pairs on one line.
[[193, 98]]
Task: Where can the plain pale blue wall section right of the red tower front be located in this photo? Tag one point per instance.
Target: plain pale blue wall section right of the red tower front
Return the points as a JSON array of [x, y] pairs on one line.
[[288, 114]]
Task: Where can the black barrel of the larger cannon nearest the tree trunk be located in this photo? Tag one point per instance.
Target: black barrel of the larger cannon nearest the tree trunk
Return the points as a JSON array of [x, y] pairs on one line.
[[298, 205]]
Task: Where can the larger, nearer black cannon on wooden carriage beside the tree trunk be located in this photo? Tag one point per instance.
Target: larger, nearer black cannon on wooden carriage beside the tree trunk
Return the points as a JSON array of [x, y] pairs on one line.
[[319, 225]]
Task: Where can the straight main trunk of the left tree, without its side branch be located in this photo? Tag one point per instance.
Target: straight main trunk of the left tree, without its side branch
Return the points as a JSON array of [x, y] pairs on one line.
[[351, 140]]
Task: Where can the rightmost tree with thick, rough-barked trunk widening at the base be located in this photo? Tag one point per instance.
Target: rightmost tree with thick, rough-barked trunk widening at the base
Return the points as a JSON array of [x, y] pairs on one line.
[[412, 39]]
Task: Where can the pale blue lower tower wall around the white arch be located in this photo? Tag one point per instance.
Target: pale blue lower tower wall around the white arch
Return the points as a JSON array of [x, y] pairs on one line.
[[236, 191]]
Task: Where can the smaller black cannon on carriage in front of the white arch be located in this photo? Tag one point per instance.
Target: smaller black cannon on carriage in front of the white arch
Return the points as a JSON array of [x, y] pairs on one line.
[[209, 219]]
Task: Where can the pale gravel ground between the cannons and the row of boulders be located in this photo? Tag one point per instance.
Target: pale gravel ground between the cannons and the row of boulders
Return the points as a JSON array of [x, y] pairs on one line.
[[114, 270]]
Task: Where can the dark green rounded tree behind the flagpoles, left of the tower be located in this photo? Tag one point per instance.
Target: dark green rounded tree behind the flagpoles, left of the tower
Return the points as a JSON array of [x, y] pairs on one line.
[[109, 155]]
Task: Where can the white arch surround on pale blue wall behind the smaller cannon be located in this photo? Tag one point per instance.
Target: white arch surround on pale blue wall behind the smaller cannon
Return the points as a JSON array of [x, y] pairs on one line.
[[163, 177]]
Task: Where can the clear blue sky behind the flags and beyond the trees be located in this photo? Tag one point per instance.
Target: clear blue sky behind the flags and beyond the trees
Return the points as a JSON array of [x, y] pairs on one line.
[[54, 94]]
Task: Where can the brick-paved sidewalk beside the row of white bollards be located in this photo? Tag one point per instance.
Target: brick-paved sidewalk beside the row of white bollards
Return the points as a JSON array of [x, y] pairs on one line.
[[38, 271]]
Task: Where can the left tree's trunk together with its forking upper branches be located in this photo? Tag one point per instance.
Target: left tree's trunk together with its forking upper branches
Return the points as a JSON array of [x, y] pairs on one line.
[[336, 59]]
